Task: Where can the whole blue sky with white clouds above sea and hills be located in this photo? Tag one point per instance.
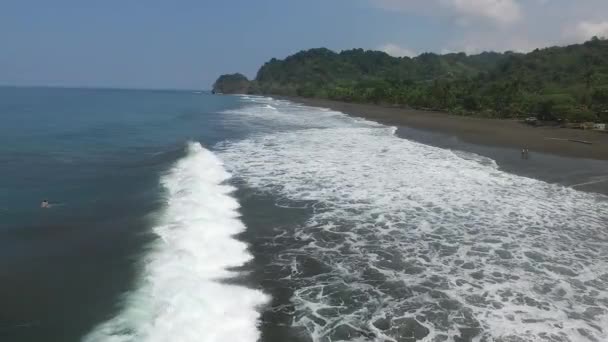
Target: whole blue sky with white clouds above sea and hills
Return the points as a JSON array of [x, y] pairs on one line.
[[187, 44]]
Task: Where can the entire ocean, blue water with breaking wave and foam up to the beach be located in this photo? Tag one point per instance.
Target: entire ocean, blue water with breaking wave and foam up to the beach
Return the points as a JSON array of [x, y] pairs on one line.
[[186, 216]]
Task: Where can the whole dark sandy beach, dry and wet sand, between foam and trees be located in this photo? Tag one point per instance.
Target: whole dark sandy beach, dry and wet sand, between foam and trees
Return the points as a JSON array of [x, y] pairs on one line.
[[552, 157]]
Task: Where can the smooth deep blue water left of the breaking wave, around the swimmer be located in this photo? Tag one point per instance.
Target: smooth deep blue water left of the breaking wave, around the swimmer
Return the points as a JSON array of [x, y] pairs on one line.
[[97, 156]]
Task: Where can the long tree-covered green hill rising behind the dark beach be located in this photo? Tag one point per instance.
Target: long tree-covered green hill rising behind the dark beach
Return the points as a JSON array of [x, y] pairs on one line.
[[558, 83]]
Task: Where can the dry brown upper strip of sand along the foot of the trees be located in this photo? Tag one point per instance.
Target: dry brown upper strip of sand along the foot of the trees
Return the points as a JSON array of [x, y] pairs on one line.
[[492, 132]]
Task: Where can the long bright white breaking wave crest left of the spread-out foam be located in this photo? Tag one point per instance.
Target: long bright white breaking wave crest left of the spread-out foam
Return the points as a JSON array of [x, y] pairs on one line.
[[179, 296]]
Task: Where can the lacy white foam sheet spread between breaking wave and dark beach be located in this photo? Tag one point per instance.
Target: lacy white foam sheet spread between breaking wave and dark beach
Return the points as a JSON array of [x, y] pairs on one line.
[[390, 204]]
